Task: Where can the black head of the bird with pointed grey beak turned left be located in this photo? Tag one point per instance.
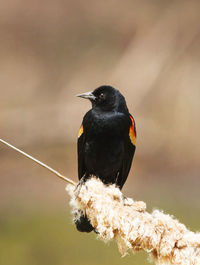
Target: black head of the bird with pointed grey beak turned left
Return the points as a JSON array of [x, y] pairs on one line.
[[105, 98]]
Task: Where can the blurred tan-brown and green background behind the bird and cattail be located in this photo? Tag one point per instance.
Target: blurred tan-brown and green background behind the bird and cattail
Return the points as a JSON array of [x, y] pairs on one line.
[[52, 50]]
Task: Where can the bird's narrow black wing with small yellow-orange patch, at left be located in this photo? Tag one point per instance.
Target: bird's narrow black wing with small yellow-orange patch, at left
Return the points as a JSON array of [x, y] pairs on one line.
[[81, 144]]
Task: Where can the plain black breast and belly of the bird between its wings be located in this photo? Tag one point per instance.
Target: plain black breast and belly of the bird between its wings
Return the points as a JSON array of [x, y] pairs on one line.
[[104, 143]]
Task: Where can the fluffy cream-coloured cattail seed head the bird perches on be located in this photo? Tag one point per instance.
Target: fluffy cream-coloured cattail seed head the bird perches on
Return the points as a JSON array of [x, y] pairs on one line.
[[116, 217]]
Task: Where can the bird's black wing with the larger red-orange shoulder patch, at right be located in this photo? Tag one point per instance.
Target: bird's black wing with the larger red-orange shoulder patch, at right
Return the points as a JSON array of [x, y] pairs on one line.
[[129, 150]]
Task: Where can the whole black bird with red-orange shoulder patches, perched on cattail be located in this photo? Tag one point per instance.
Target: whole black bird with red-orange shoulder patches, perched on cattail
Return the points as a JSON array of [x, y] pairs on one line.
[[106, 141]]
